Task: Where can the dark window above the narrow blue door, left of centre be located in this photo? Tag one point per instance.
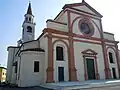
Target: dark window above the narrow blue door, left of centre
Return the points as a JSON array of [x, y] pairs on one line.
[[59, 53]]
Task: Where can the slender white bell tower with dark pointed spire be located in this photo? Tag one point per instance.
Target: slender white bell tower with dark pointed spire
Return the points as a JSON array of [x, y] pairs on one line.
[[28, 25]]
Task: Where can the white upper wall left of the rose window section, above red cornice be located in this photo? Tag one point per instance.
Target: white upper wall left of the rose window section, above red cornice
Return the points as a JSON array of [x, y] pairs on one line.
[[57, 26]]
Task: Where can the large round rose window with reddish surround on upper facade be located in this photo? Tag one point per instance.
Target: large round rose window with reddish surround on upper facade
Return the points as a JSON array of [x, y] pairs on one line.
[[86, 27]]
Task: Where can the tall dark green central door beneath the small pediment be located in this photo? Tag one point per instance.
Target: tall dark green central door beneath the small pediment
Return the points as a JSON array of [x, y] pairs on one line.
[[90, 68]]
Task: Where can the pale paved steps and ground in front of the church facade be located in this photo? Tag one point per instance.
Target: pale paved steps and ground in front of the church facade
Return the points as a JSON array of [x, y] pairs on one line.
[[85, 85]]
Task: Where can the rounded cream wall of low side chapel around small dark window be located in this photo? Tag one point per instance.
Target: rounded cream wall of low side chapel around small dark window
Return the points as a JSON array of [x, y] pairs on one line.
[[27, 75]]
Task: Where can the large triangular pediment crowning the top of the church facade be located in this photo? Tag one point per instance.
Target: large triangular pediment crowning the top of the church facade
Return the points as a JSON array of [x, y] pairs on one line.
[[83, 7]]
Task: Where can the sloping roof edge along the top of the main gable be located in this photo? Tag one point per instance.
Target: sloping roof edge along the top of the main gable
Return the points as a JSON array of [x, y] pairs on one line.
[[82, 4]]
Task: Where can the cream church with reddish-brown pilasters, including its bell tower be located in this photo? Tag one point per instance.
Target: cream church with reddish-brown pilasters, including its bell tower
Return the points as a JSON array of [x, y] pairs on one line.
[[72, 47]]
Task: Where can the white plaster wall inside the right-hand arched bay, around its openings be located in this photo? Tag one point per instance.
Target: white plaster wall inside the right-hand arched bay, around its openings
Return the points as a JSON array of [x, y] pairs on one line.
[[113, 65]]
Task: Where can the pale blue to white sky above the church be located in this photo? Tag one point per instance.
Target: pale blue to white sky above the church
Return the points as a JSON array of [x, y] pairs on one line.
[[12, 15]]
